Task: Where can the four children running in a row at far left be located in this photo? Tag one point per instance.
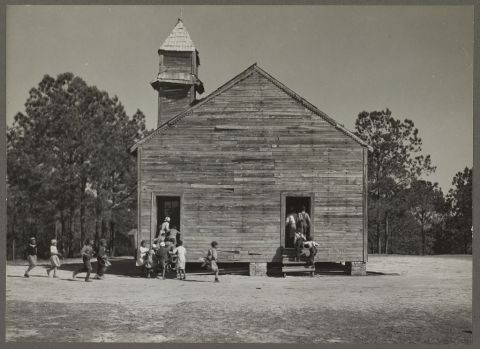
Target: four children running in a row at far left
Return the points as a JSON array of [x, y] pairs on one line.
[[87, 253]]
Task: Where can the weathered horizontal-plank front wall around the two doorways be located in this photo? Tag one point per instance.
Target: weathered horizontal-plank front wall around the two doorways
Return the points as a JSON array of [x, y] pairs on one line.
[[233, 157]]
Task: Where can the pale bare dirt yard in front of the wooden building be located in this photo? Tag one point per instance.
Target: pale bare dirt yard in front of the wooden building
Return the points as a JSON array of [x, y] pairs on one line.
[[404, 299]]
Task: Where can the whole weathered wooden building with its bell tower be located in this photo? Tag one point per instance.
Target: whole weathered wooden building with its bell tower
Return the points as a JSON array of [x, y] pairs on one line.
[[230, 166]]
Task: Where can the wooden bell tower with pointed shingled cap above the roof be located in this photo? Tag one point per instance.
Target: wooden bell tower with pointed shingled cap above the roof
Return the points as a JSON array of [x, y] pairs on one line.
[[177, 82]]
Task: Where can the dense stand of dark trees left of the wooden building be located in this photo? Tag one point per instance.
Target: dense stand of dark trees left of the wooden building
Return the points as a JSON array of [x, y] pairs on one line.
[[69, 172]]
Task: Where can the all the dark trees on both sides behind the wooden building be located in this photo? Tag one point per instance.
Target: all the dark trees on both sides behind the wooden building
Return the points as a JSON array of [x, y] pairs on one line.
[[70, 175]]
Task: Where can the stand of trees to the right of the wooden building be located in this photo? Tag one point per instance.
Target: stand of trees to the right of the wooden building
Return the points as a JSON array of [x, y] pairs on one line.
[[407, 214]]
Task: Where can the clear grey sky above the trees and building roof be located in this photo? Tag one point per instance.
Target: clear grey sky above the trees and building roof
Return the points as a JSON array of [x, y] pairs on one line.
[[415, 60]]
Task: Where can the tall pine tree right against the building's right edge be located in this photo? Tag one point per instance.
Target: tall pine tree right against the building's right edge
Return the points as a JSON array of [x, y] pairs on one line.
[[395, 161]]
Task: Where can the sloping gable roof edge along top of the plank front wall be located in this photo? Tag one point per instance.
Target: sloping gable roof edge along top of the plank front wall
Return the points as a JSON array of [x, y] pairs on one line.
[[243, 75]]
